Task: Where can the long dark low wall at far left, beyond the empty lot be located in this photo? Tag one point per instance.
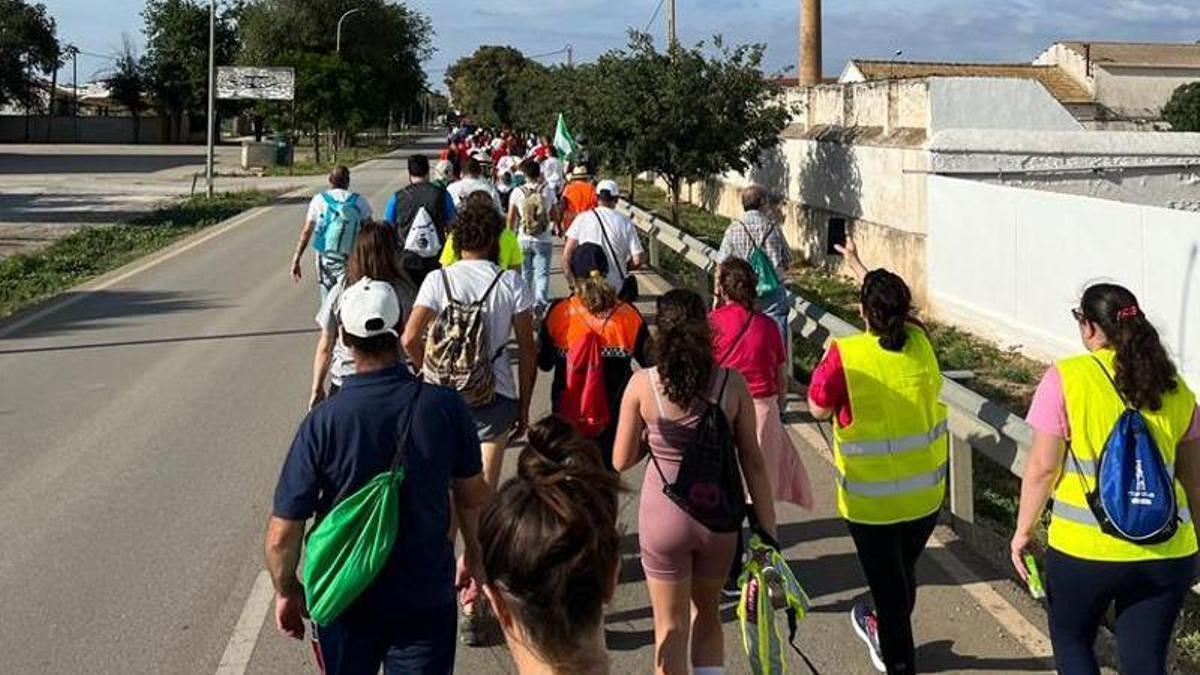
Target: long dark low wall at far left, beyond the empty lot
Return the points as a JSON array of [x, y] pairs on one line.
[[40, 129]]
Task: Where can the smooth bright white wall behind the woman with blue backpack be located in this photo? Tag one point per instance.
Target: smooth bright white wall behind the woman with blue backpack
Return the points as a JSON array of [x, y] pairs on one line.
[[1010, 264]]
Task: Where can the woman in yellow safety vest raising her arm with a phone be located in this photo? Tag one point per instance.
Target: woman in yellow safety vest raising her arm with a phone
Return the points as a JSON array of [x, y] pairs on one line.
[[891, 449]]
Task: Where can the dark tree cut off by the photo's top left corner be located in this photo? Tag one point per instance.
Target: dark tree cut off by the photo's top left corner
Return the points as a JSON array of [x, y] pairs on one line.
[[28, 46]]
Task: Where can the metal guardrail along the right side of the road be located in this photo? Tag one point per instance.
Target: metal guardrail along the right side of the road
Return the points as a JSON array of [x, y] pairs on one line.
[[977, 425]]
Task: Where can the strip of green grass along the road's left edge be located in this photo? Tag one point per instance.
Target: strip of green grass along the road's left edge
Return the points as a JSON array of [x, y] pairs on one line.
[[27, 279]]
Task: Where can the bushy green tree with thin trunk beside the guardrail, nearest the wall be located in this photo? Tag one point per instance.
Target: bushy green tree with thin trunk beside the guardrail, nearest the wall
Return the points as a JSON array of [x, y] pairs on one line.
[[685, 115]]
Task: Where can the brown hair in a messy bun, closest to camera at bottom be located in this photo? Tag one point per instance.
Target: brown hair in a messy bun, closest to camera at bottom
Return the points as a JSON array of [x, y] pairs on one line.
[[550, 541]]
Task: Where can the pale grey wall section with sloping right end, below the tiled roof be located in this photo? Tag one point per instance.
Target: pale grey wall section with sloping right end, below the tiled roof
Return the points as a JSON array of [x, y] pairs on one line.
[[992, 103]]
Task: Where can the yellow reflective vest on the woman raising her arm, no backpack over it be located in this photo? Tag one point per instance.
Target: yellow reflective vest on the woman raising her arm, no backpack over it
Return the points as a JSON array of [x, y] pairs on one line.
[[892, 459]]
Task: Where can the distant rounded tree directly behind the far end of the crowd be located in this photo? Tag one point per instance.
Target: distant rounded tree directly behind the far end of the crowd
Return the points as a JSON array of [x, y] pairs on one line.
[[481, 85]]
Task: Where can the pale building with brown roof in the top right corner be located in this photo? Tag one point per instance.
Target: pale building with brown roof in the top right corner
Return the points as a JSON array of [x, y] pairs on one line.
[[1129, 82]]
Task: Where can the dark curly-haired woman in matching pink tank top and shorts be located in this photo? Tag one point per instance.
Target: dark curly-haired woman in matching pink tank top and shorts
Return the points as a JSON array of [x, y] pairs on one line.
[[686, 564]]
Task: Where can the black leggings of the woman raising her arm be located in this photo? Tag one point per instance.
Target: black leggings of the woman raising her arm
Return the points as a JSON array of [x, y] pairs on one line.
[[889, 555]]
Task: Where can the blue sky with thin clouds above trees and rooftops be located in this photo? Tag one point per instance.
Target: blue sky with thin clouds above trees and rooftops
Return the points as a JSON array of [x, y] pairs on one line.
[[964, 31]]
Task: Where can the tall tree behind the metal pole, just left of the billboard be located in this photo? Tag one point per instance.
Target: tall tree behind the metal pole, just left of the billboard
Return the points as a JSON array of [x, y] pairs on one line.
[[177, 59]]
